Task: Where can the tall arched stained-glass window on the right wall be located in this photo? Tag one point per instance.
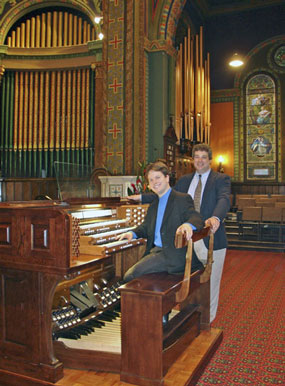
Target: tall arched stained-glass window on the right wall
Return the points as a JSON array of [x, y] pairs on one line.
[[261, 133]]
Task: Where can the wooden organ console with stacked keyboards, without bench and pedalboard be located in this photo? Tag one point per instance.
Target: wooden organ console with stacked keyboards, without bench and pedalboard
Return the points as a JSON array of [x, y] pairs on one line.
[[51, 289]]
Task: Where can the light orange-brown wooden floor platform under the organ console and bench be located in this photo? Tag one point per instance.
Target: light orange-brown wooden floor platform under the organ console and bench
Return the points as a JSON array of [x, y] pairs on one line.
[[182, 372]]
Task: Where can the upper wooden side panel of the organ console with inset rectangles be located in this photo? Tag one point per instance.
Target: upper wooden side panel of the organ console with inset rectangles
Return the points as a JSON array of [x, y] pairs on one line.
[[36, 238]]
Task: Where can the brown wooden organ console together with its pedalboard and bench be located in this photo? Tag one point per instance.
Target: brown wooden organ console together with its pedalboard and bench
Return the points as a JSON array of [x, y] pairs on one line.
[[61, 294]]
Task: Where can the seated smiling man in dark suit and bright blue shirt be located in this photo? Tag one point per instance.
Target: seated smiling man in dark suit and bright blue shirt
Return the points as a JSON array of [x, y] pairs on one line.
[[171, 212]]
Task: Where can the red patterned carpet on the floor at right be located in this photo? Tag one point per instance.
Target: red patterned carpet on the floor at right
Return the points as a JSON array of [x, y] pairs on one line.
[[252, 315]]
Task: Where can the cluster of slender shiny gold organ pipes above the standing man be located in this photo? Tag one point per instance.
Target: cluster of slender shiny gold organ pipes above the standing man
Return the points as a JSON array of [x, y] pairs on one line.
[[193, 90]]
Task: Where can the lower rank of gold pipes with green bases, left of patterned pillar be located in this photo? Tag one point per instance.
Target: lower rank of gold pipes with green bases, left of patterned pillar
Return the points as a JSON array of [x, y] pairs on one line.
[[48, 116]]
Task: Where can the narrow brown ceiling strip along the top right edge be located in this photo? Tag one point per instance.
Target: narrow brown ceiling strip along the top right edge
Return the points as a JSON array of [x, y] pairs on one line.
[[210, 8]]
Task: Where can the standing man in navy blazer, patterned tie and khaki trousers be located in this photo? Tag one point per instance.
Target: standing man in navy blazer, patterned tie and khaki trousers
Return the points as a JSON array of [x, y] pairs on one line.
[[214, 203]]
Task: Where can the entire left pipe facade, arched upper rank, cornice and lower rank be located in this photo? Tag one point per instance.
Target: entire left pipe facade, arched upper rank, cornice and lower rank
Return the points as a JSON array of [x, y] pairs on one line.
[[48, 96]]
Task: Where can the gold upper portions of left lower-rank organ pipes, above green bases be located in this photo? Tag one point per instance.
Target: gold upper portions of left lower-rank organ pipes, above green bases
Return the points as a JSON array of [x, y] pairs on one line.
[[51, 109]]
